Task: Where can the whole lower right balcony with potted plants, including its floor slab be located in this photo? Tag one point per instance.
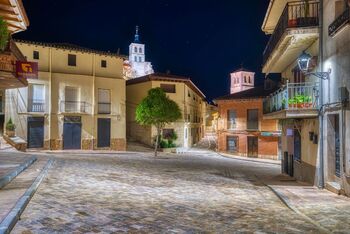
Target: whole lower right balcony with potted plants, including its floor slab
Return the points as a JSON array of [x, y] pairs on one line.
[[294, 100]]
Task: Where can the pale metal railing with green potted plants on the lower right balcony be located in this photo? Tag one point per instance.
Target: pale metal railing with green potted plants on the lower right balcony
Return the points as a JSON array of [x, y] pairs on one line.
[[293, 96]]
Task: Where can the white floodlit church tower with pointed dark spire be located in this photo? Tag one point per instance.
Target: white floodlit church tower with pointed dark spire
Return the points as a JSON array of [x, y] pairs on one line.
[[137, 66]]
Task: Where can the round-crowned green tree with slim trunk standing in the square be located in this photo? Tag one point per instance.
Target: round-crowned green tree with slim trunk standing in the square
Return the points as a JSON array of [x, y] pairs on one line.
[[157, 110]]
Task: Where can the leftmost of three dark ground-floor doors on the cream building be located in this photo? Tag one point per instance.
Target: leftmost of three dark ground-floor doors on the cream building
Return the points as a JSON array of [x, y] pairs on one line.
[[35, 132]]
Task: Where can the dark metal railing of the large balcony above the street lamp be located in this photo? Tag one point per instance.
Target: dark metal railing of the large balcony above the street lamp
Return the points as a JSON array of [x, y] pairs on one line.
[[295, 15]]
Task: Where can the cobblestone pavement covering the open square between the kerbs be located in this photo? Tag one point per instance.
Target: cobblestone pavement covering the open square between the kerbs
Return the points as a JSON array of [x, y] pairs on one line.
[[135, 193]]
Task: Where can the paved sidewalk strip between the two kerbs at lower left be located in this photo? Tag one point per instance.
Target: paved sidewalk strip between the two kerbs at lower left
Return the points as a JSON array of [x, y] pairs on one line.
[[11, 193]]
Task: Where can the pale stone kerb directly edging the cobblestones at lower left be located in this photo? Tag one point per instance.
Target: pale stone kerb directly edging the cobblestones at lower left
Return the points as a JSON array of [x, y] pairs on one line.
[[14, 215]]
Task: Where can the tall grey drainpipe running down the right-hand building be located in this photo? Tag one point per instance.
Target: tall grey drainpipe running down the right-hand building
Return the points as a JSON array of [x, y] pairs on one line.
[[321, 181]]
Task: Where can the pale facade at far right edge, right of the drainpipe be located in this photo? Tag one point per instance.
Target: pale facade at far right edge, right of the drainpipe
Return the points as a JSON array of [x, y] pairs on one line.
[[336, 56]]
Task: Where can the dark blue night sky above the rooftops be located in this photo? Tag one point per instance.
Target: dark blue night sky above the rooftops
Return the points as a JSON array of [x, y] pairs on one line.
[[202, 39]]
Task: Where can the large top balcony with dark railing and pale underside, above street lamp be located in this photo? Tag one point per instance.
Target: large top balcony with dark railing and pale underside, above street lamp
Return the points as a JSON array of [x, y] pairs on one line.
[[296, 30]]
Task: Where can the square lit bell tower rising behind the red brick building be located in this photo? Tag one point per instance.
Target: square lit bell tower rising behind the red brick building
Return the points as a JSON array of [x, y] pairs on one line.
[[241, 80]]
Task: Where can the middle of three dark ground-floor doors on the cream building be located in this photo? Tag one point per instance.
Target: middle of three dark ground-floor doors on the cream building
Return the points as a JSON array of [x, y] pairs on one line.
[[72, 133]]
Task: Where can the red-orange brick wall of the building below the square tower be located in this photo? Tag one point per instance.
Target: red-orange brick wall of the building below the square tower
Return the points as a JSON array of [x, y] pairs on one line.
[[267, 146]]
